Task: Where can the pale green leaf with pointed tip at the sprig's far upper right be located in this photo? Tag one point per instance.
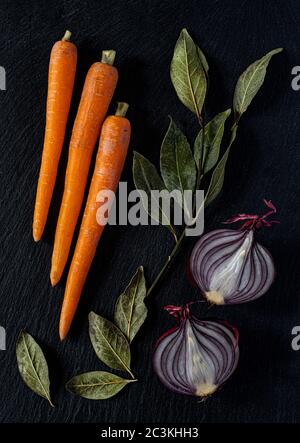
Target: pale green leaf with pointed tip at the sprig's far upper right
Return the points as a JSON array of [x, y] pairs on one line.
[[250, 82]]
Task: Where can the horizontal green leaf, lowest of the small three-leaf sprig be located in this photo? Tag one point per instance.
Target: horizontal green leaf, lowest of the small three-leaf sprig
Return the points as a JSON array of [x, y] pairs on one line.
[[97, 385]]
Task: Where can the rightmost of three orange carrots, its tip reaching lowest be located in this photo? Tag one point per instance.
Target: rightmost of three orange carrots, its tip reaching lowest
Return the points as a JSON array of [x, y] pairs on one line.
[[113, 146]]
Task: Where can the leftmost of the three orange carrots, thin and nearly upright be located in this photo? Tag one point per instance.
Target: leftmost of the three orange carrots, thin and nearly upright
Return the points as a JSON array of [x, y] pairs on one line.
[[62, 68]]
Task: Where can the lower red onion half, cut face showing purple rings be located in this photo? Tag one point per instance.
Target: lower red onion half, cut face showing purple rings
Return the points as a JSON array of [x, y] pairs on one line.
[[197, 356]]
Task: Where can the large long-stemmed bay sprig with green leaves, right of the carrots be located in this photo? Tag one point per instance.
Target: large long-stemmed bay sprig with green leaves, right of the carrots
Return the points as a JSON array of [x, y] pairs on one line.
[[179, 169]]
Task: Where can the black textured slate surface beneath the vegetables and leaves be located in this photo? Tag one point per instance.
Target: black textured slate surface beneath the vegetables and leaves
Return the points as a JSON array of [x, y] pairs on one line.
[[264, 163]]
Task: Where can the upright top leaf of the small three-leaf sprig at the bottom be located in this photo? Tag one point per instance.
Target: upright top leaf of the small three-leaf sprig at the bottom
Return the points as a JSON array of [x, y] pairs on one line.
[[130, 310]]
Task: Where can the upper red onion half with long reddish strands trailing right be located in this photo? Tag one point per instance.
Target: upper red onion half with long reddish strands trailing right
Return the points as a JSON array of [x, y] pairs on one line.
[[229, 266]]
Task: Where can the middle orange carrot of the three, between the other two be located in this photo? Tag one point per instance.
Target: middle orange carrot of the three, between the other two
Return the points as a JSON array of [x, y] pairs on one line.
[[99, 86]]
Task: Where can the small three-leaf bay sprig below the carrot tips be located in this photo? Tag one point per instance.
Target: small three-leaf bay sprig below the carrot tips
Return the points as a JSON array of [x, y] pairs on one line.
[[111, 343]]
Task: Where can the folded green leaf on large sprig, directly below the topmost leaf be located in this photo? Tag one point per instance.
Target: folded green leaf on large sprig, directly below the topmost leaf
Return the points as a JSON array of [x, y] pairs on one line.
[[213, 135]]
